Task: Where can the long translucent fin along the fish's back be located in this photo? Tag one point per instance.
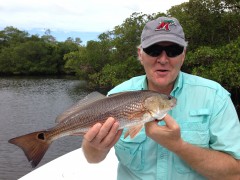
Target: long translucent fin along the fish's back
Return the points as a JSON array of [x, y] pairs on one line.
[[90, 98]]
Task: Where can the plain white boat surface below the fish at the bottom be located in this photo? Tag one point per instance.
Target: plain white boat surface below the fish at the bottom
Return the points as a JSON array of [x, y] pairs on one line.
[[73, 166]]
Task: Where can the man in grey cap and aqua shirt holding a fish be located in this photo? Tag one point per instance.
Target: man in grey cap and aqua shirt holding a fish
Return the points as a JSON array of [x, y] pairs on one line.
[[198, 139]]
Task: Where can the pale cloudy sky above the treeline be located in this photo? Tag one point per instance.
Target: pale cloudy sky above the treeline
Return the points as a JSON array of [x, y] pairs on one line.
[[75, 18]]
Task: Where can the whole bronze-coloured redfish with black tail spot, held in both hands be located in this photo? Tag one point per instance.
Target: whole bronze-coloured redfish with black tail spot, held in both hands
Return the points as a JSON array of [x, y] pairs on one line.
[[131, 109]]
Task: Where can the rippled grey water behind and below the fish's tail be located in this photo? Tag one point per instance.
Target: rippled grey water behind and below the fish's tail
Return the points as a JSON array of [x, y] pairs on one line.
[[27, 105]]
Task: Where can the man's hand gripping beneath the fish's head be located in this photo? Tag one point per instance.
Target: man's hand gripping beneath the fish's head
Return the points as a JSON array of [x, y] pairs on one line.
[[168, 136]]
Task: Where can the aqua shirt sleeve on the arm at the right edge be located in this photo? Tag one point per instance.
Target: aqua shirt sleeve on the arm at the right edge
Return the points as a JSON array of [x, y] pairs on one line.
[[225, 127]]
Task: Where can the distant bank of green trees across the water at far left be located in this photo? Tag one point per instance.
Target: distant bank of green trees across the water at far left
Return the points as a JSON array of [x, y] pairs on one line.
[[24, 55]]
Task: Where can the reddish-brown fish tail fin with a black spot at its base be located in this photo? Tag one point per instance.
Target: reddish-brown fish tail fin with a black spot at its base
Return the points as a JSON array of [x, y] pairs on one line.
[[34, 145]]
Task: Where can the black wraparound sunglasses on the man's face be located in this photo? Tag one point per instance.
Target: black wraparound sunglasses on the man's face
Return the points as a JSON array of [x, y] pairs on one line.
[[171, 51]]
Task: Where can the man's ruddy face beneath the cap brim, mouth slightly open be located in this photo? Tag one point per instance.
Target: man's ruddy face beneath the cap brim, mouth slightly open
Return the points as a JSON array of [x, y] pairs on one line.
[[161, 70]]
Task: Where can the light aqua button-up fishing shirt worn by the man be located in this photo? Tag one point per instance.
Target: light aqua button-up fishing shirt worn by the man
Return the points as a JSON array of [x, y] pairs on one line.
[[207, 118]]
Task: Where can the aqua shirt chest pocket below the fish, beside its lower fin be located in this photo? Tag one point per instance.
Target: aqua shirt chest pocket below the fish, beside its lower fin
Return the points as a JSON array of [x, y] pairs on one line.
[[130, 151]]
